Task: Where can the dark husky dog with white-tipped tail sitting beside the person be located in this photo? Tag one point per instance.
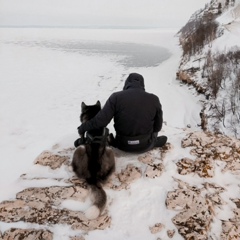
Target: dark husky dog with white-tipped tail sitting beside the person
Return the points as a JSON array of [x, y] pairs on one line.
[[94, 161]]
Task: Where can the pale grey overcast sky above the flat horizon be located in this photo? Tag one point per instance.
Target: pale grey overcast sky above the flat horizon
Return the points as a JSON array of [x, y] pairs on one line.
[[98, 13]]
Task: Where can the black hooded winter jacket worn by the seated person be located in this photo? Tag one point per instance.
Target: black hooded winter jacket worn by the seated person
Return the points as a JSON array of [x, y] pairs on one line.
[[135, 111]]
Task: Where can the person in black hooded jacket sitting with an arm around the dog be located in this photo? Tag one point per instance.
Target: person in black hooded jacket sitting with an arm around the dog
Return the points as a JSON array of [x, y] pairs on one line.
[[137, 115]]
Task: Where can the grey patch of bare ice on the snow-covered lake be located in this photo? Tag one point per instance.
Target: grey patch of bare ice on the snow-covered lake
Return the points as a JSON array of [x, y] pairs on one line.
[[127, 54]]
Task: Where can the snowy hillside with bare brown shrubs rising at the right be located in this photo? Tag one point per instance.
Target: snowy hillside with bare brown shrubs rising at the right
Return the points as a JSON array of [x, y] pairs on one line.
[[213, 68]]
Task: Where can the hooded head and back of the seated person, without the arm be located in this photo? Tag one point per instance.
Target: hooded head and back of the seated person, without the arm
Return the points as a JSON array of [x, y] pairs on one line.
[[135, 109]]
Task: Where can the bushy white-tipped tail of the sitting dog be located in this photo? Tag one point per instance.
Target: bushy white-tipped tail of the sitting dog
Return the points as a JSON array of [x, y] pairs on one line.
[[99, 198]]
